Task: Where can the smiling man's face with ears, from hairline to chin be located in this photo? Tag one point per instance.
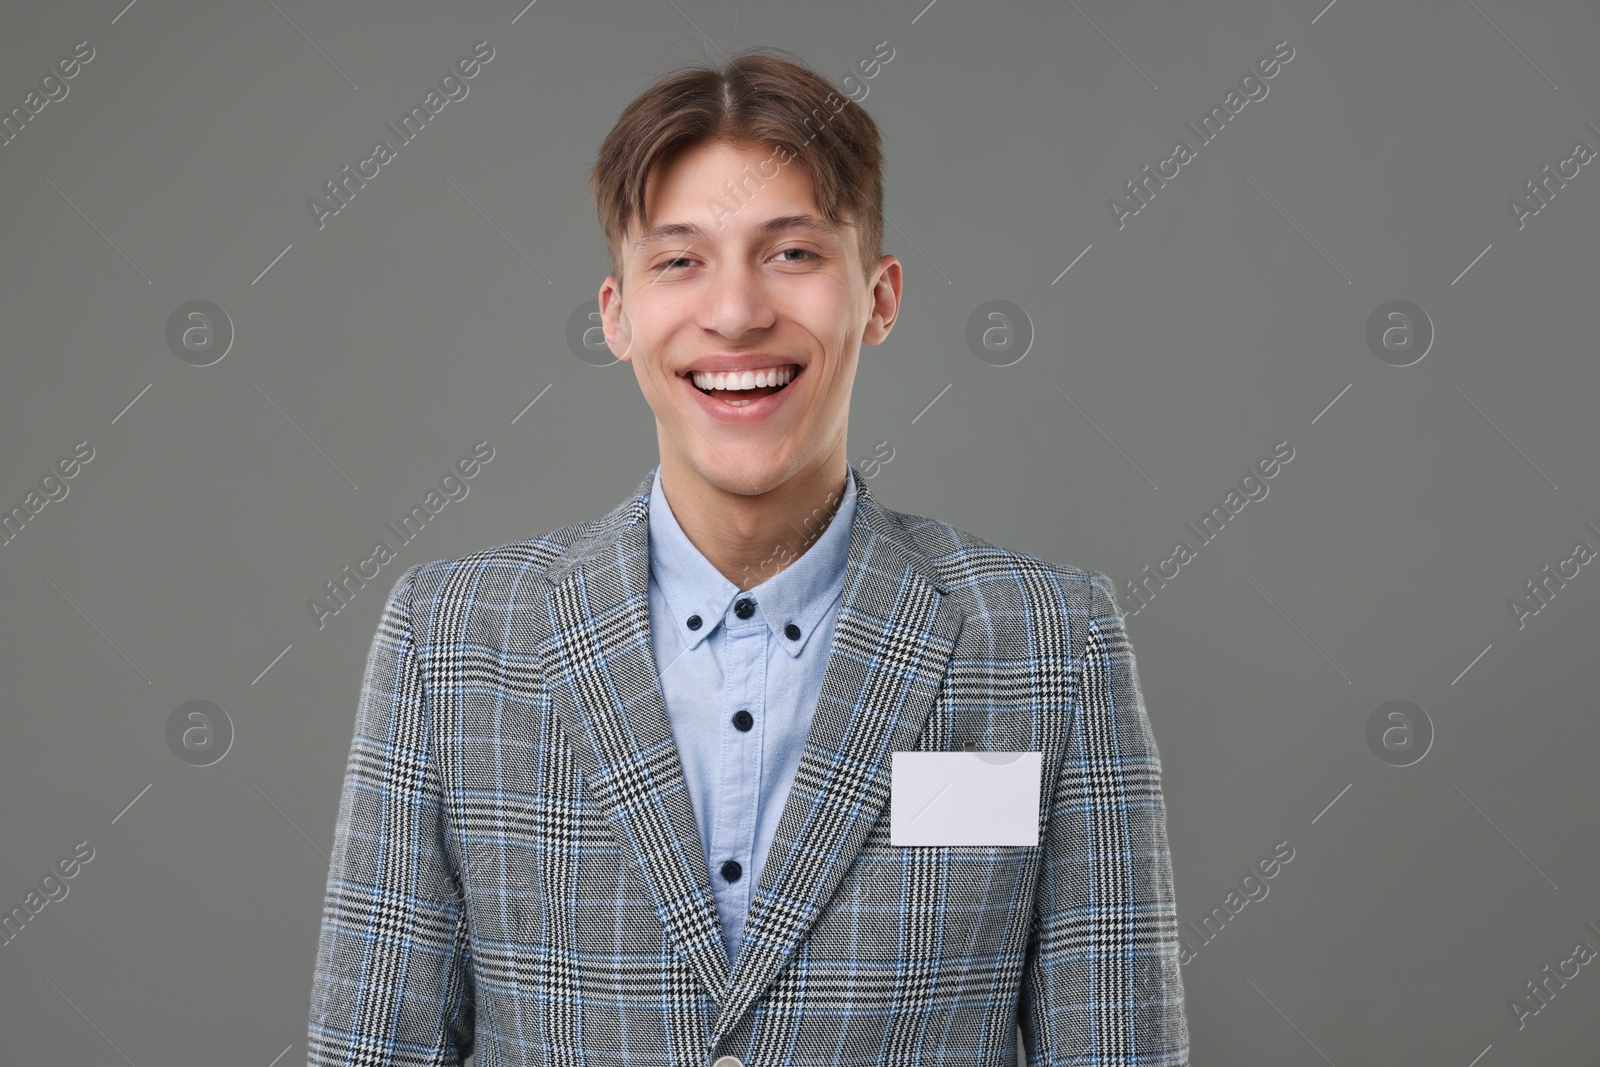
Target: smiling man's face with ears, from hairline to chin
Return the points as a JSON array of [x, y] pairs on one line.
[[732, 268]]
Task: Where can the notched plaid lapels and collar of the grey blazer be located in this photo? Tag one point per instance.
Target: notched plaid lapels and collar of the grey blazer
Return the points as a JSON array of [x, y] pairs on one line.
[[894, 639]]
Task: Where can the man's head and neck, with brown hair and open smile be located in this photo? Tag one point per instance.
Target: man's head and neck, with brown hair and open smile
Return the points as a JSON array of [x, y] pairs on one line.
[[748, 302]]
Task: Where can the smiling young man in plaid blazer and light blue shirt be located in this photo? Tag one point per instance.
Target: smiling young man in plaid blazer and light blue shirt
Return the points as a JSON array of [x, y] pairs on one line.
[[623, 794]]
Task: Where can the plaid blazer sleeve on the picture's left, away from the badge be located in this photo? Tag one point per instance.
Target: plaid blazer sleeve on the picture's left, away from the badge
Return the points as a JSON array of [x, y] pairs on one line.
[[394, 972]]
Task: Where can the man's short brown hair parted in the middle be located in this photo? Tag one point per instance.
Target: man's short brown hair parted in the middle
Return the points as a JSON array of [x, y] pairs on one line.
[[756, 98]]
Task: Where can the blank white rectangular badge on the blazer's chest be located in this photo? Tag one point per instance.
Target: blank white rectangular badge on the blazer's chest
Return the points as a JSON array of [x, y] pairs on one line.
[[966, 797]]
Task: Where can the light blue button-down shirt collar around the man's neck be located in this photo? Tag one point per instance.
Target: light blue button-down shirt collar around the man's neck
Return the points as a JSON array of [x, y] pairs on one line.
[[801, 593]]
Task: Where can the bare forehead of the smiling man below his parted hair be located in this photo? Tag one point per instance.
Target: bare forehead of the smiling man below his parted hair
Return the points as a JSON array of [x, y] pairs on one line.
[[716, 191]]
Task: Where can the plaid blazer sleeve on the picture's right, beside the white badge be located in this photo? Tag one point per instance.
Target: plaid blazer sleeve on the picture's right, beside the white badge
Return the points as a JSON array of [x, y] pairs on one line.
[[1102, 977]]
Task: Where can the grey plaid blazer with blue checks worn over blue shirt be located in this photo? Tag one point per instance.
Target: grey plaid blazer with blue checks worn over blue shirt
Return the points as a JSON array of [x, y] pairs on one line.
[[518, 869]]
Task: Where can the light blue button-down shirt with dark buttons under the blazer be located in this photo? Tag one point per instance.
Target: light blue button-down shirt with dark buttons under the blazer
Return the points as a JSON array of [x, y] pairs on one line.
[[764, 673]]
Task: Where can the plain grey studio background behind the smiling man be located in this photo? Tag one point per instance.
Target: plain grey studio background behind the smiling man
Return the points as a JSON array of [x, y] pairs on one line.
[[1228, 316]]
